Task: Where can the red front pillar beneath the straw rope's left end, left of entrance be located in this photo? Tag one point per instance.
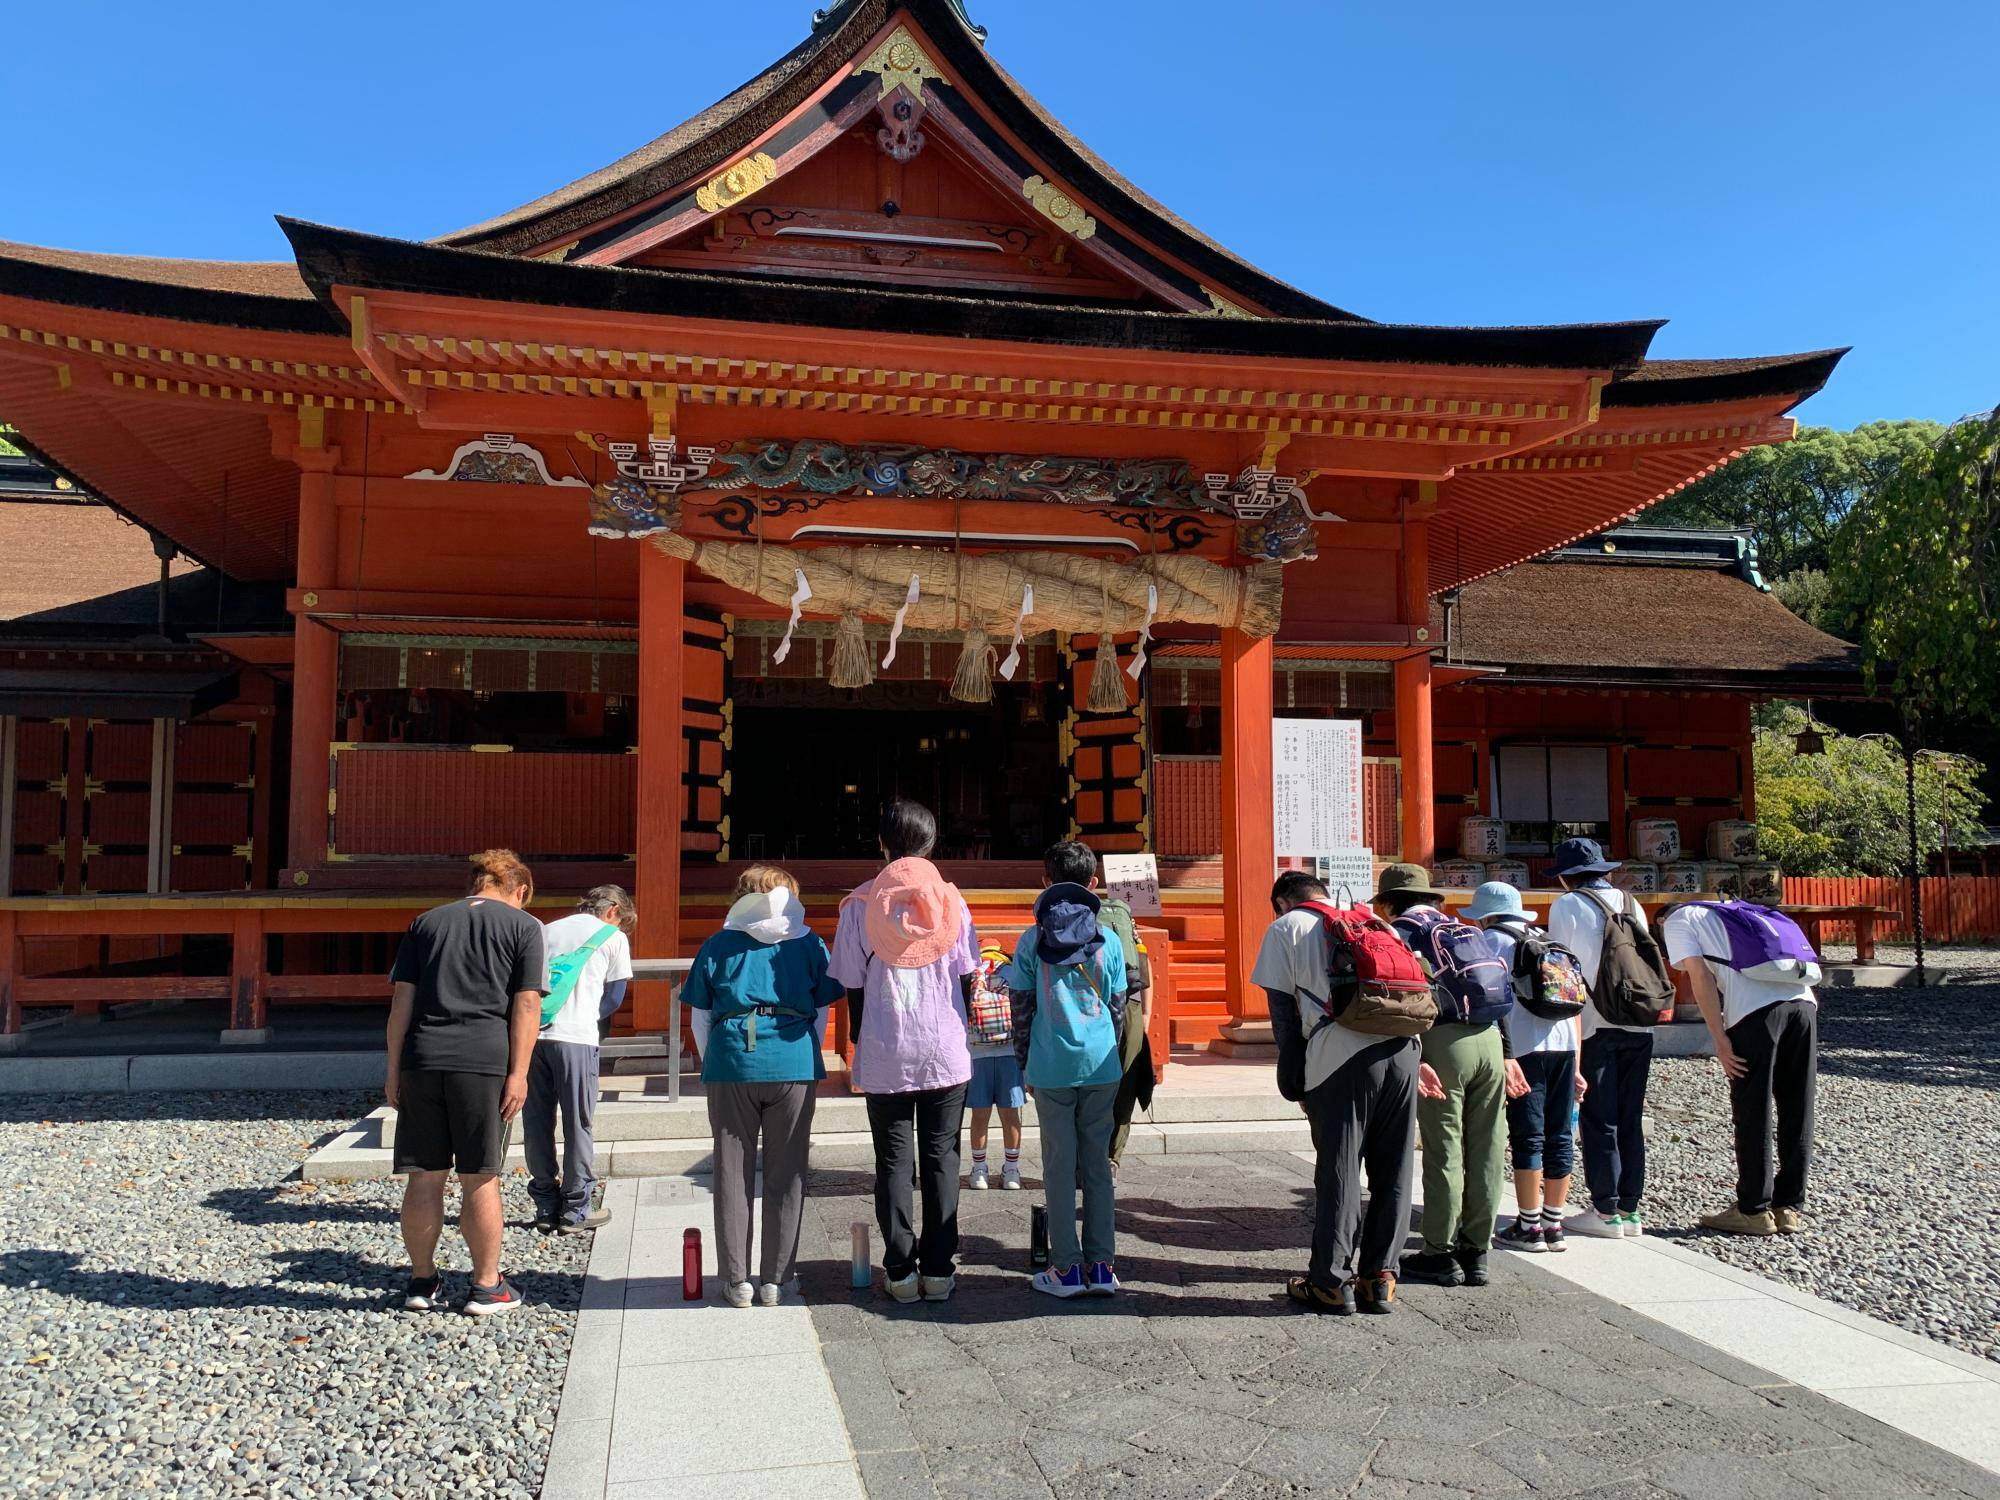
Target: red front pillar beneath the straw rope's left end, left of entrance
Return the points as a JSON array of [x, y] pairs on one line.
[[661, 757]]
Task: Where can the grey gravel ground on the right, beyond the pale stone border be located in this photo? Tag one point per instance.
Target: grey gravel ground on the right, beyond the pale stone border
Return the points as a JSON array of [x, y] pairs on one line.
[[1905, 1193]]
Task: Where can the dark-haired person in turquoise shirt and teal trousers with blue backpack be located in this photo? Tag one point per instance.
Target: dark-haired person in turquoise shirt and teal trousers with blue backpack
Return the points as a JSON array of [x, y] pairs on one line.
[[1069, 991]]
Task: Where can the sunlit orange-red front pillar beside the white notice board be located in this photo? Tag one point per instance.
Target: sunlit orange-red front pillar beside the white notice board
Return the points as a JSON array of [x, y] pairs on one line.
[[1249, 831]]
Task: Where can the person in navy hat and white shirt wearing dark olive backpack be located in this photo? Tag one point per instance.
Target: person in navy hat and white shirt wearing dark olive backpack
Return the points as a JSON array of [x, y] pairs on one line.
[[1615, 1061]]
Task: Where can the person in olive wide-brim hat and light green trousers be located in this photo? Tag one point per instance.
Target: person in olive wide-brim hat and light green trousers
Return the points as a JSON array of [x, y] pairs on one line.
[[1461, 1117]]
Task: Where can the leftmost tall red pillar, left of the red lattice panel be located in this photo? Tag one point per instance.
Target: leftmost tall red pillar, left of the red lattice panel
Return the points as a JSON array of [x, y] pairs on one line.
[[315, 679]]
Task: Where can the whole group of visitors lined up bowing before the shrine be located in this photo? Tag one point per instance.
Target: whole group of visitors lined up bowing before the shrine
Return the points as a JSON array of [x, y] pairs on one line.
[[1399, 1023]]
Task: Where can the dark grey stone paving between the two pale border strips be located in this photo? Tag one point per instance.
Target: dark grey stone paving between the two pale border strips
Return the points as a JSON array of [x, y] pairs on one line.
[[1205, 1383]]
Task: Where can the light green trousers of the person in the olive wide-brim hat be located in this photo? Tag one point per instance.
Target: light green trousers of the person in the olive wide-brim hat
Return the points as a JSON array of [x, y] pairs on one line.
[[1465, 1137]]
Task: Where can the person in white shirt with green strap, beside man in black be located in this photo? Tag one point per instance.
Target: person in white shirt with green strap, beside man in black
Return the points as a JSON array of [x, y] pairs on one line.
[[563, 1077]]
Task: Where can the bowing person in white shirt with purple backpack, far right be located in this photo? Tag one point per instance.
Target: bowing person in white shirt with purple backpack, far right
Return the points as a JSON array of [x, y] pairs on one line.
[[1769, 1045]]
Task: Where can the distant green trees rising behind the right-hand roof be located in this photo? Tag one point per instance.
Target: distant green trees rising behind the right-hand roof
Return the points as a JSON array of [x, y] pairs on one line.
[[1793, 497]]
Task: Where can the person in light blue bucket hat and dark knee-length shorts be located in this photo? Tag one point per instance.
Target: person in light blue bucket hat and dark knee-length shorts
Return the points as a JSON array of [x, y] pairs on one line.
[[1541, 1119]]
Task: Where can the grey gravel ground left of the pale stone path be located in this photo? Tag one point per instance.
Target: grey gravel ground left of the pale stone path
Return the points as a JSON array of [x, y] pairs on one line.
[[181, 1319]]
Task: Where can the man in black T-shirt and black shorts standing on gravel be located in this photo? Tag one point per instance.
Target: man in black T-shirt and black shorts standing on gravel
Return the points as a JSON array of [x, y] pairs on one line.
[[461, 1033]]
